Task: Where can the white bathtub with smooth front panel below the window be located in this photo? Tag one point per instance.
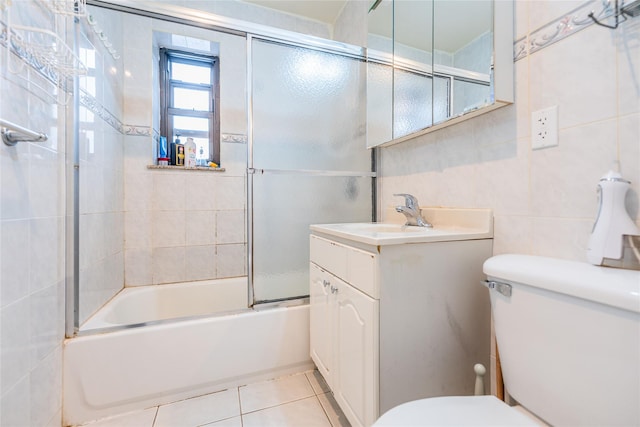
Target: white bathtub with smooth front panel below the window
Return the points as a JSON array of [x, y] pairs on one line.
[[164, 361]]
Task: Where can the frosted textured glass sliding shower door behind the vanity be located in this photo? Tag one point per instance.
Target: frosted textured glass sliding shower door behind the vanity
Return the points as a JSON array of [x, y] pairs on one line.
[[307, 158]]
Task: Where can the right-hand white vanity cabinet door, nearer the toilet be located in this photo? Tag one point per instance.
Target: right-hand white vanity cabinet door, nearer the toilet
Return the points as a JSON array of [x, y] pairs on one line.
[[356, 370]]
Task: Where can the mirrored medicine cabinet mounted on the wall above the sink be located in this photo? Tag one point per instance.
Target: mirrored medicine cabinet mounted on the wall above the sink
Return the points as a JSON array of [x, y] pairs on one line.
[[433, 63]]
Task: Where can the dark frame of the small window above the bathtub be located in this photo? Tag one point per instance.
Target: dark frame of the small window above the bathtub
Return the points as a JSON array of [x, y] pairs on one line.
[[168, 112]]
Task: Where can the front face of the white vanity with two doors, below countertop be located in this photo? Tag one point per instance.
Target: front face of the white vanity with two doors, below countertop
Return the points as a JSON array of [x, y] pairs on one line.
[[344, 332]]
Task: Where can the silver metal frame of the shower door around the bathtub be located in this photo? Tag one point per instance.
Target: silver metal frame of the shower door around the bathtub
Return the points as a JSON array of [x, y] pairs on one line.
[[207, 21]]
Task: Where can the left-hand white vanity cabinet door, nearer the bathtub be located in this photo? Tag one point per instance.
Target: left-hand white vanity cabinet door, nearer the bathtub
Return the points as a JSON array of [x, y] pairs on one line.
[[321, 320]]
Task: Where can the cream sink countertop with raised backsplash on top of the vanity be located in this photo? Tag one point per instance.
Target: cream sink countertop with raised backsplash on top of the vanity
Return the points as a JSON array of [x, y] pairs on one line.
[[449, 224]]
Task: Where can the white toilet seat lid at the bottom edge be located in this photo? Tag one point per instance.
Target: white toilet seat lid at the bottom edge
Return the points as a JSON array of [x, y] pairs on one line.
[[455, 411]]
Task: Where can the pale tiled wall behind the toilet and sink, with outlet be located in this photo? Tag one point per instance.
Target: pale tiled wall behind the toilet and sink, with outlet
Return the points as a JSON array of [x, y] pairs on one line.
[[544, 201]]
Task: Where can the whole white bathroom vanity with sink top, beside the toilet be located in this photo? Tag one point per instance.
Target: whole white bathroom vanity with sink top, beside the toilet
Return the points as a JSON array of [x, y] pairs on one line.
[[398, 313]]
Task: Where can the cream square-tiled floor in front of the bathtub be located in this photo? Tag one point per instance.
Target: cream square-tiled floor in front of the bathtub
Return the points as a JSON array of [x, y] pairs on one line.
[[300, 400]]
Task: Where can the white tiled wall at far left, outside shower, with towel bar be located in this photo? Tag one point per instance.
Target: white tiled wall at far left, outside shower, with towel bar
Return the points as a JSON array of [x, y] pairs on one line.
[[32, 197]]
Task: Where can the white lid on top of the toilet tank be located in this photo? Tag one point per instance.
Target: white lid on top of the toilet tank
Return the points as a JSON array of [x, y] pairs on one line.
[[611, 286]]
